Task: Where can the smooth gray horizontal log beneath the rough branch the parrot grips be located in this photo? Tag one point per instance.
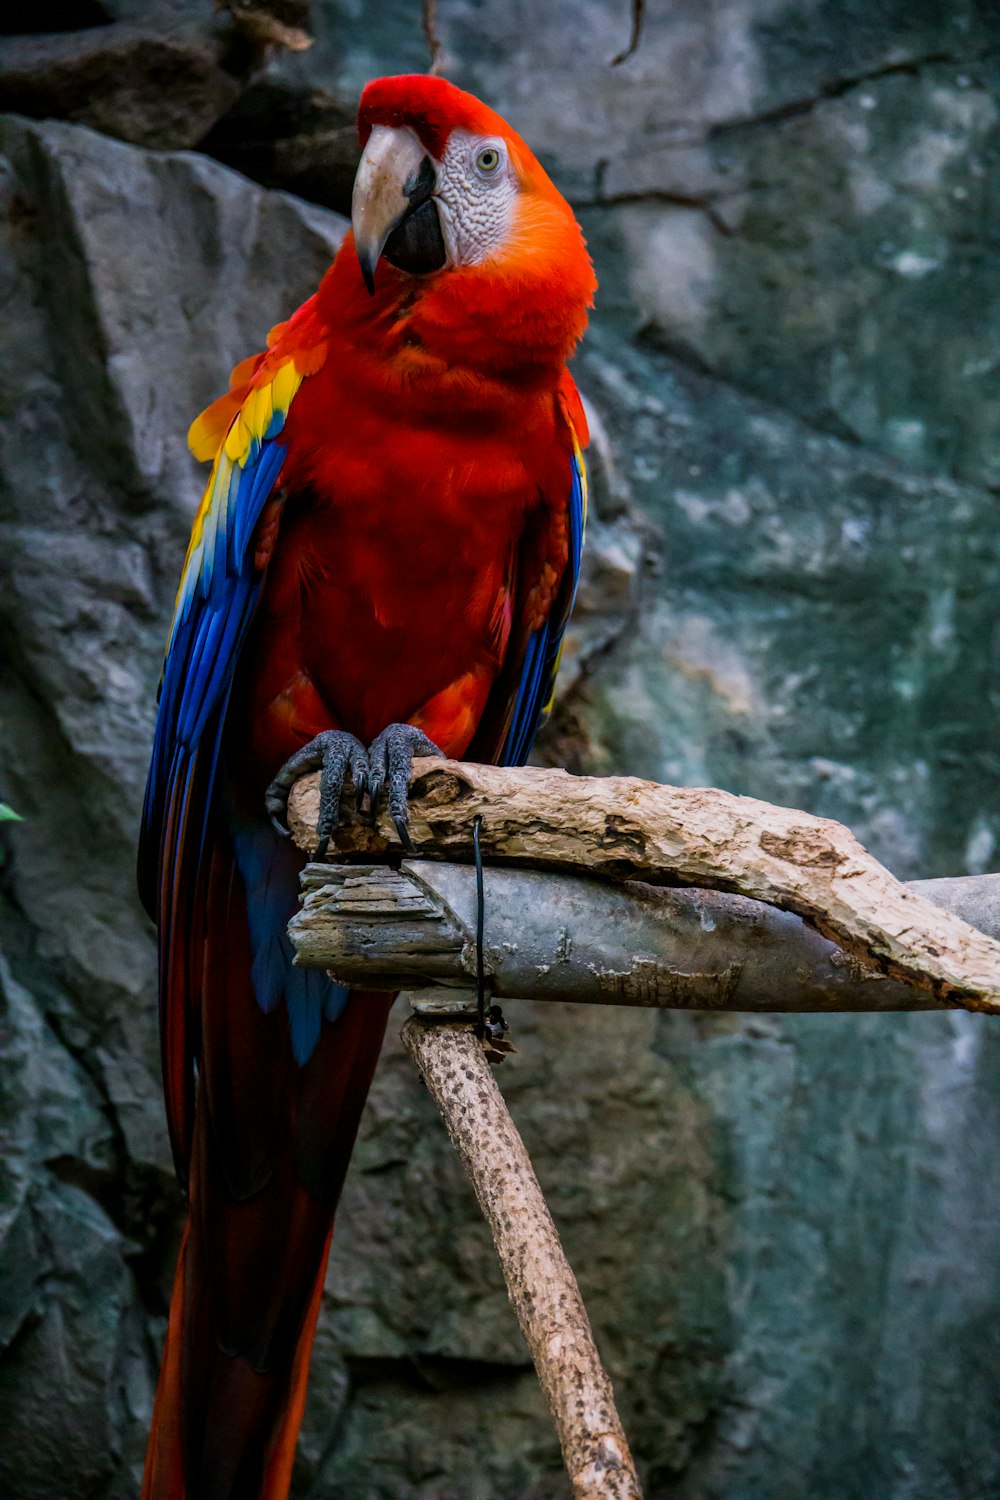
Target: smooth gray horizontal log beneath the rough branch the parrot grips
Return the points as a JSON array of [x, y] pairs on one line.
[[552, 937]]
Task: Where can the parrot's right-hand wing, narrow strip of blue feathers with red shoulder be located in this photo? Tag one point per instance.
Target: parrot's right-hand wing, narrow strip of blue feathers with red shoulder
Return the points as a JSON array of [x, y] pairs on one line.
[[524, 701]]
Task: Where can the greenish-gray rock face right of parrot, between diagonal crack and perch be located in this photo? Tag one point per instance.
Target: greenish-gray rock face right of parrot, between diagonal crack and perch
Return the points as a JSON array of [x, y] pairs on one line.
[[816, 628]]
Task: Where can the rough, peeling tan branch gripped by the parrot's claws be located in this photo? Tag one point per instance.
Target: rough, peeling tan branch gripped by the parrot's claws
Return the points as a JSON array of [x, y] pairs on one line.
[[624, 829]]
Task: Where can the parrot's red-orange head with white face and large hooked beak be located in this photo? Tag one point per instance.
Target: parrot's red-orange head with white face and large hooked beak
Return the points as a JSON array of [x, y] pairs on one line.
[[446, 191]]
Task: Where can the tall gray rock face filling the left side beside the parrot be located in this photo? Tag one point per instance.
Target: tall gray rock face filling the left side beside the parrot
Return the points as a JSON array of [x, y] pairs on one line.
[[131, 281]]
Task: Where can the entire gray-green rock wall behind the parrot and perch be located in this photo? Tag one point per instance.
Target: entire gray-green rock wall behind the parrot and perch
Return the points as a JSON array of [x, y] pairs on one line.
[[786, 1229]]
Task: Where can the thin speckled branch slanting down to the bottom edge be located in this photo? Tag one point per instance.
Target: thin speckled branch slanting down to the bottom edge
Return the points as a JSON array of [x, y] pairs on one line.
[[539, 1277]]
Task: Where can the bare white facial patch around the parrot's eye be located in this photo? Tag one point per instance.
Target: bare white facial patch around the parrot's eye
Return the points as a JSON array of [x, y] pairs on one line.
[[476, 197]]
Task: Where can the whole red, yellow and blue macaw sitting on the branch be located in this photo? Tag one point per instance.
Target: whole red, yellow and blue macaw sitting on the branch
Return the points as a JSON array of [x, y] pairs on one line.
[[383, 565]]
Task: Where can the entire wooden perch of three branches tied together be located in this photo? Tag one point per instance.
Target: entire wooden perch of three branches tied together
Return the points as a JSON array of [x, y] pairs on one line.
[[554, 932]]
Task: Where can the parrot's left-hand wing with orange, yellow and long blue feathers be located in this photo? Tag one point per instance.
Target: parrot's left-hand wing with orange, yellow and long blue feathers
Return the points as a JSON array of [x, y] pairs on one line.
[[215, 605]]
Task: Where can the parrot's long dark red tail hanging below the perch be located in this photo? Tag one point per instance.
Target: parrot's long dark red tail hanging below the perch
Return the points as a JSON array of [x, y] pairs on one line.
[[251, 1271]]
